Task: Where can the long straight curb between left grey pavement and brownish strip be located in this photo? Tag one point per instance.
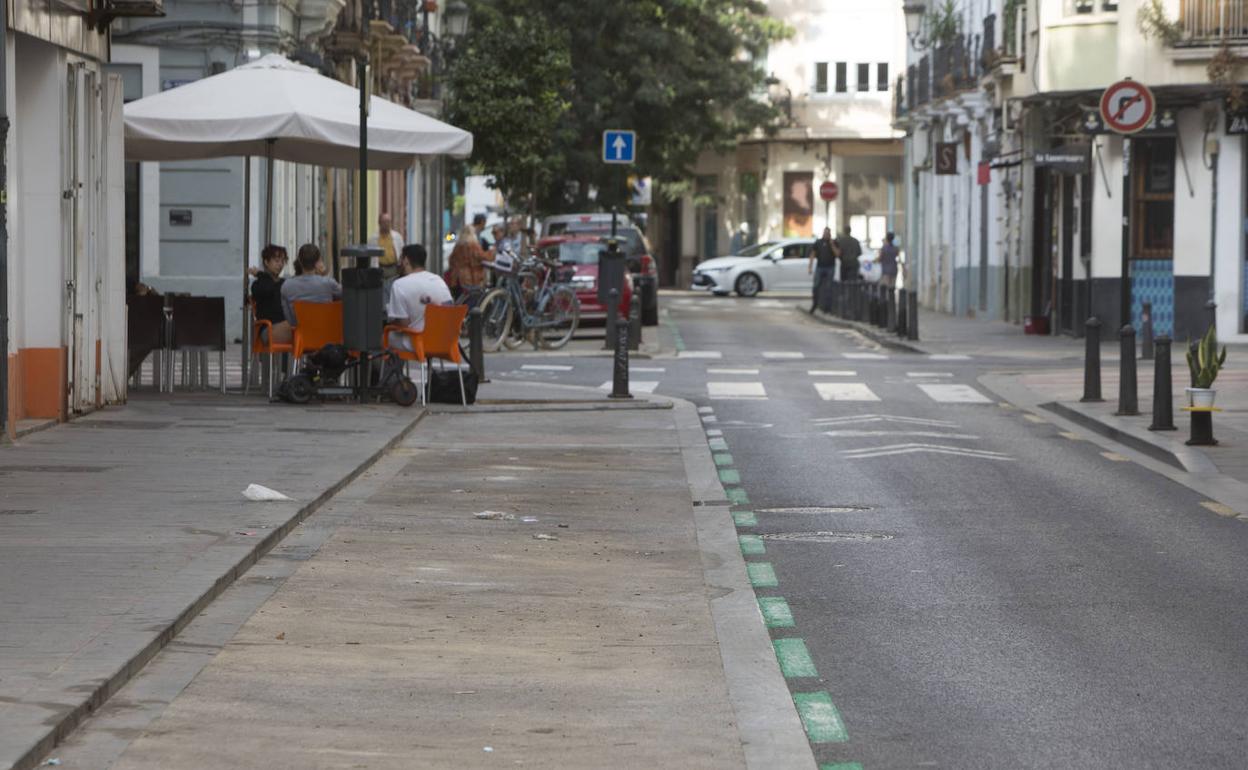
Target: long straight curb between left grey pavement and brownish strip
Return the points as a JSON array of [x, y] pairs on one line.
[[108, 688]]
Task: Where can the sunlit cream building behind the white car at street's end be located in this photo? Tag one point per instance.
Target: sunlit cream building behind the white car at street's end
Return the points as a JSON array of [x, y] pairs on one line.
[[836, 82]]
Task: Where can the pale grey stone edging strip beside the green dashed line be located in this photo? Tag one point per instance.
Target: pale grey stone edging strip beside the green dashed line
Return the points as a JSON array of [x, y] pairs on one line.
[[767, 721]]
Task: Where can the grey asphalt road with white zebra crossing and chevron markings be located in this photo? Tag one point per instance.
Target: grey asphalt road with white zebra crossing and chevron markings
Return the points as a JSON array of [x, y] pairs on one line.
[[984, 591]]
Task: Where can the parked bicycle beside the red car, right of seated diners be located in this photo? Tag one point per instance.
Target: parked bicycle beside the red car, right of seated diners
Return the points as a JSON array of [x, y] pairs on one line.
[[530, 306]]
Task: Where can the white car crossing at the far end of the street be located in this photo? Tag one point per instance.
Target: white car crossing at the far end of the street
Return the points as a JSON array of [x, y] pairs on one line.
[[772, 266]]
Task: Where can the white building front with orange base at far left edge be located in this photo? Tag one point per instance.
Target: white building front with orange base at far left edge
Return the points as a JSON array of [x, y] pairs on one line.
[[63, 294]]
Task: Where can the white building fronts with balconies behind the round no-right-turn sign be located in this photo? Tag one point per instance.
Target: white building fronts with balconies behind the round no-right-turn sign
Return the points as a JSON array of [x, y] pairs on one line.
[[1026, 207]]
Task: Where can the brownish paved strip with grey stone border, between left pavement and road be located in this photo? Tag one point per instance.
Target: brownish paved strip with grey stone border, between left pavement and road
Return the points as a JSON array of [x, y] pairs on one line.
[[420, 636]]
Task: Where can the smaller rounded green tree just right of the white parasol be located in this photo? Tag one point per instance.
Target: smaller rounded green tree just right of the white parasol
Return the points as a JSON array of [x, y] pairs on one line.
[[510, 85]]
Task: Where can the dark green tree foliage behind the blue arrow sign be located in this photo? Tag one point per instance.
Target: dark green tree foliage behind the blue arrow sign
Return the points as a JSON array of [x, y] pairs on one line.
[[685, 74]]
